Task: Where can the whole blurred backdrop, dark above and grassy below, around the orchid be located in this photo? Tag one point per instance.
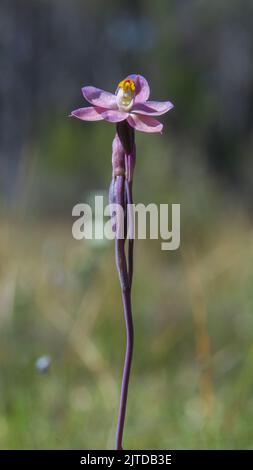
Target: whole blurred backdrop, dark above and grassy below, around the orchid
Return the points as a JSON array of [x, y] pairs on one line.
[[192, 382]]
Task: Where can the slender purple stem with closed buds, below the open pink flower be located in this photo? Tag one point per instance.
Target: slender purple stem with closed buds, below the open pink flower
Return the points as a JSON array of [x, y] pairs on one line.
[[123, 161]]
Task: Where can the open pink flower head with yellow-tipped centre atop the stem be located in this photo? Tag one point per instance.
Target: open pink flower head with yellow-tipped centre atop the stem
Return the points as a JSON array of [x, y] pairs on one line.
[[130, 103]]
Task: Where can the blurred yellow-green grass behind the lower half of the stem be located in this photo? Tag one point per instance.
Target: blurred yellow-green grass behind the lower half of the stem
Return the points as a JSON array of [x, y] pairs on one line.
[[192, 383]]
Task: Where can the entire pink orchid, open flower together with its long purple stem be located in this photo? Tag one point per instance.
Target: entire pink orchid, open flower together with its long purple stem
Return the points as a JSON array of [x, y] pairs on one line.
[[130, 109]]
